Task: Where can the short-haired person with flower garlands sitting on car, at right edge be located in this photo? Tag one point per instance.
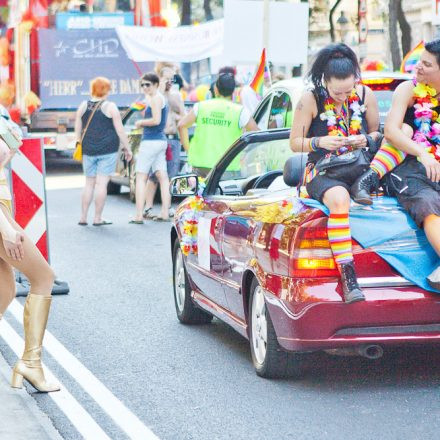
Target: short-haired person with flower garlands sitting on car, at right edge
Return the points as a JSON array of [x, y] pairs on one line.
[[412, 150]]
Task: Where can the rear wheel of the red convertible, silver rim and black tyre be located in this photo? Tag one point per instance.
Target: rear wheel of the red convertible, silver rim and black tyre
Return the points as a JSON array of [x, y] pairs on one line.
[[268, 357]]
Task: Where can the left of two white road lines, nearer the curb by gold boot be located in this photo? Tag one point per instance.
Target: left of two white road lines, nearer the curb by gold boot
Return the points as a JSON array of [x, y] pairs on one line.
[[77, 415]]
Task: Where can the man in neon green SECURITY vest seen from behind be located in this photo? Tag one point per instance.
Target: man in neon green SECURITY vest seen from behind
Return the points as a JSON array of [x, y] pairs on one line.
[[219, 123]]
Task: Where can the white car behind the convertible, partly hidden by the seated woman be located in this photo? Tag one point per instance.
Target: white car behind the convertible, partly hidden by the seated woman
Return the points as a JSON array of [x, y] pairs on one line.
[[276, 108]]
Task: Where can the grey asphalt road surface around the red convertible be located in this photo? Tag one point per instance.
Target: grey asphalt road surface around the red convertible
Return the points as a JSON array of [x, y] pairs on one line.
[[189, 382]]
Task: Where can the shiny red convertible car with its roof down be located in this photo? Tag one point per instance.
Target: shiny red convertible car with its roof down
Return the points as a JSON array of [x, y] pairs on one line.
[[272, 277]]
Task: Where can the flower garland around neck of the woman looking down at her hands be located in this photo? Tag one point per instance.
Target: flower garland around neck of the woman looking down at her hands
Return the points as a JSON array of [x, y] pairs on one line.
[[336, 124]]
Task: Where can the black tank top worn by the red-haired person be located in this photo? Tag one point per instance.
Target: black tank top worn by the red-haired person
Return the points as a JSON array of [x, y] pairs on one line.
[[101, 137]]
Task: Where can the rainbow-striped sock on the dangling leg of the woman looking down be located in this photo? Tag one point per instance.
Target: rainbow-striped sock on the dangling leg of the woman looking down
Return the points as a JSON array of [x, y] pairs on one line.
[[339, 236]]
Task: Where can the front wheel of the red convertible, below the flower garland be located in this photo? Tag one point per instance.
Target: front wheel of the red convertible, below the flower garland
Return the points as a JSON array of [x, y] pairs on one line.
[[187, 312]]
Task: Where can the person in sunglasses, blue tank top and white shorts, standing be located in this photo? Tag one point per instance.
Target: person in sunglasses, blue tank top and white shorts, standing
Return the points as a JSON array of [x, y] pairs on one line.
[[152, 151]]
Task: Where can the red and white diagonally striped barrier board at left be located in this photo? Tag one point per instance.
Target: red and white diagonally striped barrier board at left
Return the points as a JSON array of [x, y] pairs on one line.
[[29, 193]]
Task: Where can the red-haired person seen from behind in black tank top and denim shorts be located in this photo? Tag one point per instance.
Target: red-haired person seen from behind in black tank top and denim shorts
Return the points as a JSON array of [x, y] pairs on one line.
[[98, 123]]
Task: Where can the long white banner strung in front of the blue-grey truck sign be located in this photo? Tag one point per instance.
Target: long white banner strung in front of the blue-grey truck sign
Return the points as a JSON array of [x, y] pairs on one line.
[[181, 44]]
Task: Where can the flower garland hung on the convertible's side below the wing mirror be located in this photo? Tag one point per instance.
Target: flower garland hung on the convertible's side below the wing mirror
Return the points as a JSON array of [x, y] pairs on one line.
[[190, 220]]
